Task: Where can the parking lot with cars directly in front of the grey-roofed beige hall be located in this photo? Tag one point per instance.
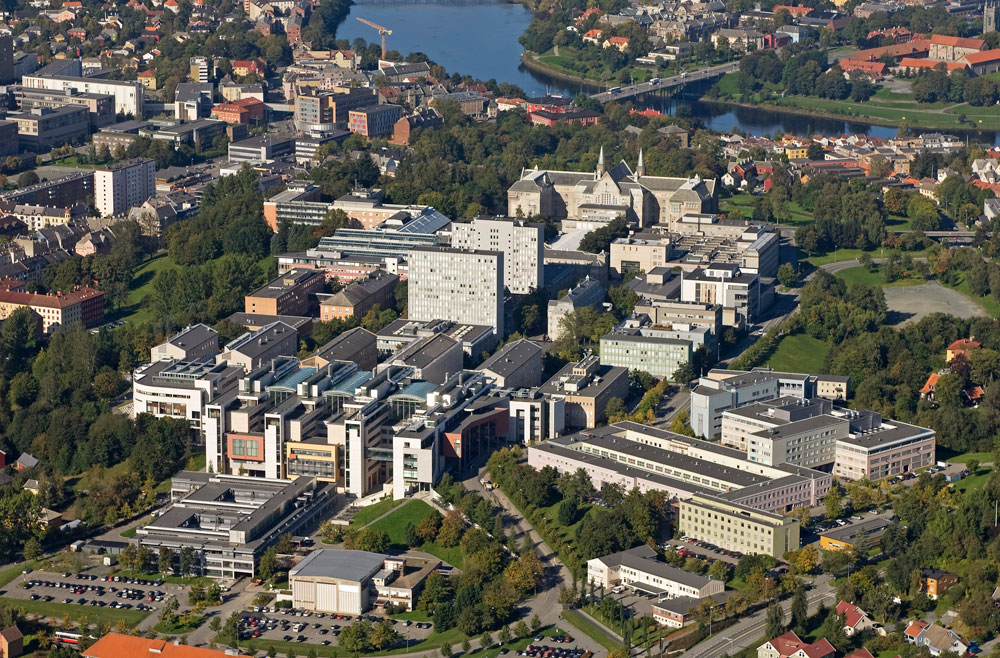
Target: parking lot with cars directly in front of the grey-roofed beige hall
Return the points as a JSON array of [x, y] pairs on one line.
[[288, 625]]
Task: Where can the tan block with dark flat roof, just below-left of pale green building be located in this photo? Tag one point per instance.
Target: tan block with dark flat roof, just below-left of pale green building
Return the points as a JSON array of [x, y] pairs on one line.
[[587, 387]]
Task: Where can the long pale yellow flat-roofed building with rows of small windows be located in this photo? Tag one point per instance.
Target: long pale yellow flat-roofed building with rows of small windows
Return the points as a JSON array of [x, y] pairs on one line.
[[737, 527]]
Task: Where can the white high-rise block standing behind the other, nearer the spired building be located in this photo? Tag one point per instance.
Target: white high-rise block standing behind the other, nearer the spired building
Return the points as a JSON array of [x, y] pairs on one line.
[[520, 242]]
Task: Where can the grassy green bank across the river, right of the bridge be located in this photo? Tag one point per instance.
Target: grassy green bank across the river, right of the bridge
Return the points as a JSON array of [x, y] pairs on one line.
[[959, 116]]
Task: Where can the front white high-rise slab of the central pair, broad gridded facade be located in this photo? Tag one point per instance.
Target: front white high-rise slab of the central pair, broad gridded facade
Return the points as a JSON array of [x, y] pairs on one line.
[[461, 286]]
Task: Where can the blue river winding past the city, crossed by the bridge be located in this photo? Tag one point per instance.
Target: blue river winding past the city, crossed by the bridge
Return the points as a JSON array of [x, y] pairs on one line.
[[479, 38]]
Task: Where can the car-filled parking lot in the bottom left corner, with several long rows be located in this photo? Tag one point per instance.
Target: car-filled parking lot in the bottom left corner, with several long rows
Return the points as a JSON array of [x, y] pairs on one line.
[[85, 589]]
